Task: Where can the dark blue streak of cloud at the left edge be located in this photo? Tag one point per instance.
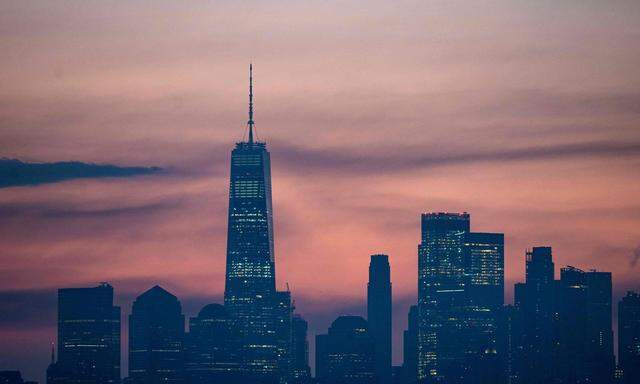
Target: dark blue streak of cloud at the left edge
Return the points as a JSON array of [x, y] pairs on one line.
[[17, 173]]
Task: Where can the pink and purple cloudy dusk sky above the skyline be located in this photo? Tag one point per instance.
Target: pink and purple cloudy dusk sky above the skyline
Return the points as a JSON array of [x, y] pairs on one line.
[[523, 113]]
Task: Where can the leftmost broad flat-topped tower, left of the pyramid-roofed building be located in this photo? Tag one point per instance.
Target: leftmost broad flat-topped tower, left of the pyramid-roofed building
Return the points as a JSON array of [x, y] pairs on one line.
[[88, 337]]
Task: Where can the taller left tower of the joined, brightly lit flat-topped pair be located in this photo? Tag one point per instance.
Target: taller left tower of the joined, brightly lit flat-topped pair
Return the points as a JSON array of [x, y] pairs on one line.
[[441, 295]]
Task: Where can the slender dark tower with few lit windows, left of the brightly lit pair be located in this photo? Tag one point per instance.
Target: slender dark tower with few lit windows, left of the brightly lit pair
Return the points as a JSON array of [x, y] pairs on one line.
[[379, 314]]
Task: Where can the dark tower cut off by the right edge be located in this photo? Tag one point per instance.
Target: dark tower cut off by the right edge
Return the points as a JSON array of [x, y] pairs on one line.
[[629, 337]]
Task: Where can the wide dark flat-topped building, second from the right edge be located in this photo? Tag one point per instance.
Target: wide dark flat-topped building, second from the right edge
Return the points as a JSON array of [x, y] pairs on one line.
[[585, 334]]
